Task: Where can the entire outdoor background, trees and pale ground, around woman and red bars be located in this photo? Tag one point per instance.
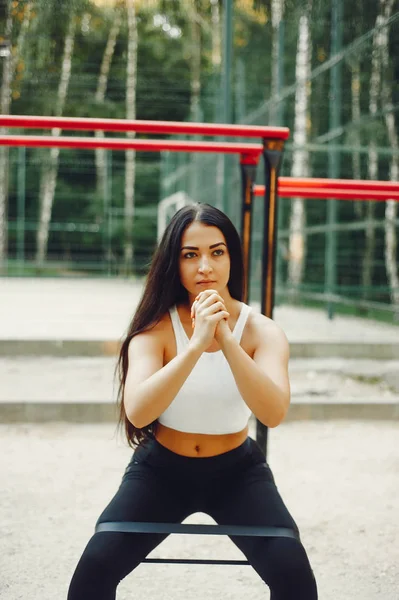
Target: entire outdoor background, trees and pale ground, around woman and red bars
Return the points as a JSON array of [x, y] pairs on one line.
[[78, 229]]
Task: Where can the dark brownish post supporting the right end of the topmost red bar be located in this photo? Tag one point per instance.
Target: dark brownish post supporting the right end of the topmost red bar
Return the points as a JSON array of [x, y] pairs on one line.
[[272, 153]]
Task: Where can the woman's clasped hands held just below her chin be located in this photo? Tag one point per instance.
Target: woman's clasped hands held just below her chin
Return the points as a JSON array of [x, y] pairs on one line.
[[207, 311]]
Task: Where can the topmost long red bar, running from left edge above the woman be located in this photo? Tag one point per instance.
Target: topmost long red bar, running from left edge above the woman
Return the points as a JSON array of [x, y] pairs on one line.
[[161, 127]]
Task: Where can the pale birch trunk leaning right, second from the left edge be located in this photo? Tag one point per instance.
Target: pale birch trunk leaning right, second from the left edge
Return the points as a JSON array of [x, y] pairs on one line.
[[49, 175]]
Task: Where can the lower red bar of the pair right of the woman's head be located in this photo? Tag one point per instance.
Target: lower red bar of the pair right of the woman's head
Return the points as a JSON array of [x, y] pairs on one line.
[[330, 193]]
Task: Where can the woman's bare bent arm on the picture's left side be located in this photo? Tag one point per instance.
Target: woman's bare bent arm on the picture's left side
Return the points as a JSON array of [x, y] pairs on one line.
[[151, 387]]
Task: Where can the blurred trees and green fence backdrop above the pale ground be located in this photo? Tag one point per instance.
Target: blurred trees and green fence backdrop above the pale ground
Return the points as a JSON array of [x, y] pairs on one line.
[[328, 70]]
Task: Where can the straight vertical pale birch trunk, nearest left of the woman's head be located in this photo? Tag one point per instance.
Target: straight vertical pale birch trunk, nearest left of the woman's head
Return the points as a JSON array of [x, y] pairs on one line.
[[131, 83]]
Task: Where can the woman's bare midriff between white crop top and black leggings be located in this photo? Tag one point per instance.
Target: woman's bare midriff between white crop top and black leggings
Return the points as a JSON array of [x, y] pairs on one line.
[[199, 445]]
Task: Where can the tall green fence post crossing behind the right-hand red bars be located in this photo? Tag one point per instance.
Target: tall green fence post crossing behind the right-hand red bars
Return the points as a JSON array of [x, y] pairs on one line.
[[335, 105]]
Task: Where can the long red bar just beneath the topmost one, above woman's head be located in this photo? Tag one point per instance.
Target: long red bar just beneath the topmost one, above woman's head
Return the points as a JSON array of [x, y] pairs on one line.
[[39, 141]]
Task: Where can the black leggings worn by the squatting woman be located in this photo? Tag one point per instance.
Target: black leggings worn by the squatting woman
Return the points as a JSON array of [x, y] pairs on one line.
[[234, 488]]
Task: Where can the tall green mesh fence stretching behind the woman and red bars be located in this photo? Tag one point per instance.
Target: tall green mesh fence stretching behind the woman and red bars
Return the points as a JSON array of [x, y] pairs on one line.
[[351, 131]]
